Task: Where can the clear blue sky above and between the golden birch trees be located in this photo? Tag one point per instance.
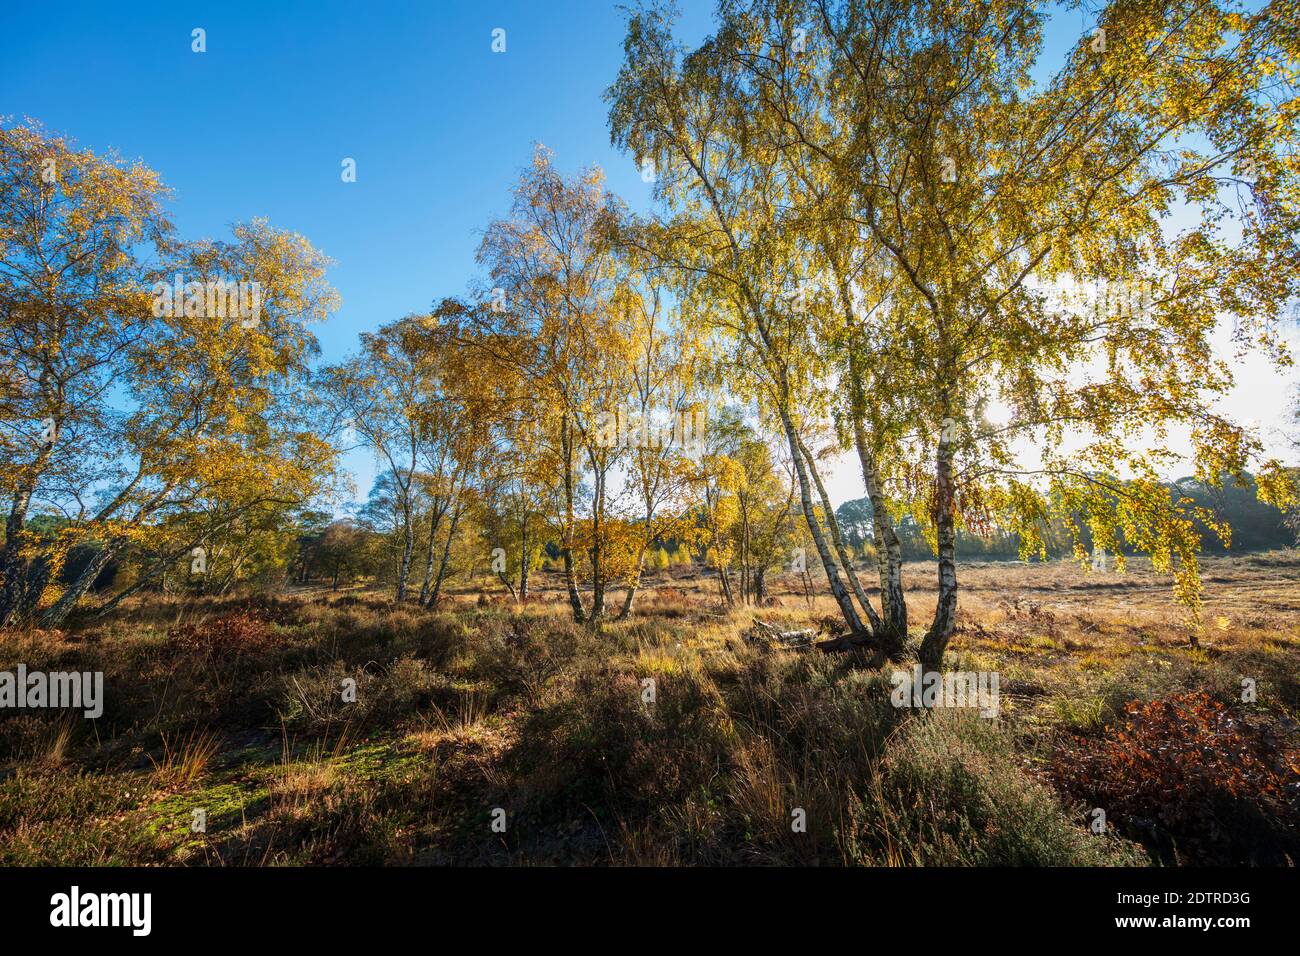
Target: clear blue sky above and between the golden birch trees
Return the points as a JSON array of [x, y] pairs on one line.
[[439, 126]]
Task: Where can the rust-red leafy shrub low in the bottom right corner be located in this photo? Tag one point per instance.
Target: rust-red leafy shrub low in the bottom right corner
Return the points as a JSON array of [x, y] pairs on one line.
[[1193, 781]]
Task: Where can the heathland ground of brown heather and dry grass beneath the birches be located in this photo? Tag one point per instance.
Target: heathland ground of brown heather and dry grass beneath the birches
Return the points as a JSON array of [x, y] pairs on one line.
[[487, 713]]
